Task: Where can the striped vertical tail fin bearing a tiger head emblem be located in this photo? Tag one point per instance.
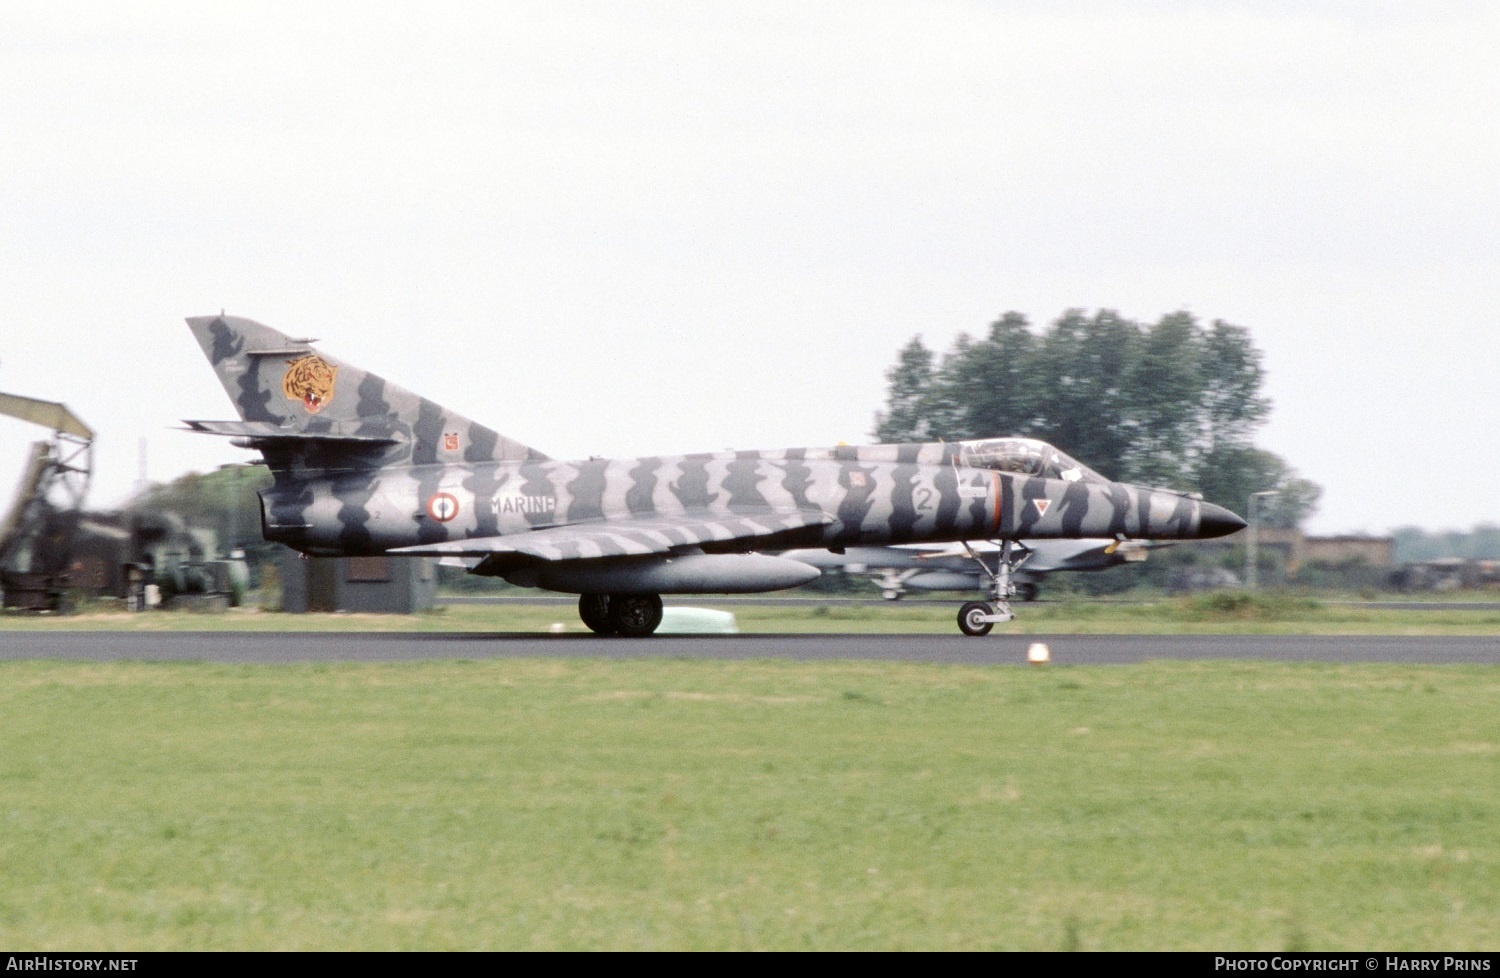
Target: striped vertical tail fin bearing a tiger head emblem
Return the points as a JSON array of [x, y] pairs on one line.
[[284, 386]]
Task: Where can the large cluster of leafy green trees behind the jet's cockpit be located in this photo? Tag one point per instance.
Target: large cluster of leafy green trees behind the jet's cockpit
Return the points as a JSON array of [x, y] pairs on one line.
[[1168, 404]]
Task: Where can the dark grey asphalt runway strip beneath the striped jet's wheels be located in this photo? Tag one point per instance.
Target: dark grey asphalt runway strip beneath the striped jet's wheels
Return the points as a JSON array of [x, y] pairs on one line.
[[1075, 650]]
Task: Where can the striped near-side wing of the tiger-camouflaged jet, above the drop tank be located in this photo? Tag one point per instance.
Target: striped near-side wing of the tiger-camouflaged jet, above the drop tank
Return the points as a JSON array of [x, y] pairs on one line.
[[628, 538]]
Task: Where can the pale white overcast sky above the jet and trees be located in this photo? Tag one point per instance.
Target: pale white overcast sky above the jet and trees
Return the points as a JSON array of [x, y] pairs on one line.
[[641, 229]]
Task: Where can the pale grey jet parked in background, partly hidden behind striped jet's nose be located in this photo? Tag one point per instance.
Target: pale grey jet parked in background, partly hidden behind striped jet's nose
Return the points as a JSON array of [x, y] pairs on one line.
[[950, 568]]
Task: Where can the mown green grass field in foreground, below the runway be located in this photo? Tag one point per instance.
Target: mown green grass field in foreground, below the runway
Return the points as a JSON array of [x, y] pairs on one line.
[[755, 805]]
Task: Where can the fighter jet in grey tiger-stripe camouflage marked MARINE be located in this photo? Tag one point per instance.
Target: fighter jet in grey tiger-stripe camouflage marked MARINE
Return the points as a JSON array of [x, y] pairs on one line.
[[364, 467]]
